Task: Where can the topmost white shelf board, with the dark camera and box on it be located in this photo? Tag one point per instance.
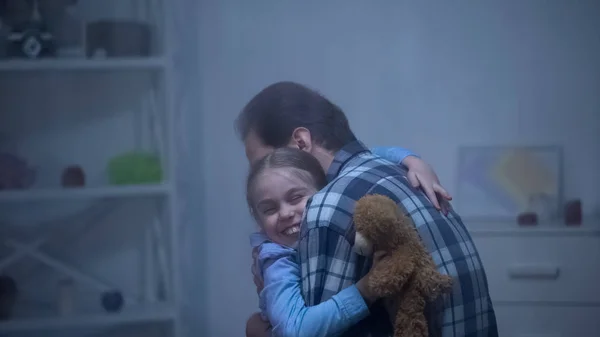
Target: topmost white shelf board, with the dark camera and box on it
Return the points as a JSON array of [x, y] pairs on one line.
[[73, 64]]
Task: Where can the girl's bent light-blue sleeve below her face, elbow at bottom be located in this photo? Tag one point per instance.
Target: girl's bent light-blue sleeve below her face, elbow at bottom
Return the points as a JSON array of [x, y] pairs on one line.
[[288, 313]]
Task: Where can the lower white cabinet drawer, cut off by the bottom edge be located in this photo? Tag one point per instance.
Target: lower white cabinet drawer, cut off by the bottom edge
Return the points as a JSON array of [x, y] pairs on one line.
[[547, 321]]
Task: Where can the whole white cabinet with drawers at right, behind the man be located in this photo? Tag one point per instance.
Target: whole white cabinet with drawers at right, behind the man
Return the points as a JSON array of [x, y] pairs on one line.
[[543, 280]]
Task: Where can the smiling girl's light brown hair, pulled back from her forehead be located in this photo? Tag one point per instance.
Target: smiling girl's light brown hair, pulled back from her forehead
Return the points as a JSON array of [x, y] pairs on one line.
[[305, 166]]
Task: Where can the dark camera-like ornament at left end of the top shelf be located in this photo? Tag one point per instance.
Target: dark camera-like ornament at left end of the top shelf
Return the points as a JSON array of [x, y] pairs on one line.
[[31, 38]]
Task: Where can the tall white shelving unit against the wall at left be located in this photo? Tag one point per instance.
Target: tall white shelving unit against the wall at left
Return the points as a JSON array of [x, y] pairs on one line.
[[129, 107]]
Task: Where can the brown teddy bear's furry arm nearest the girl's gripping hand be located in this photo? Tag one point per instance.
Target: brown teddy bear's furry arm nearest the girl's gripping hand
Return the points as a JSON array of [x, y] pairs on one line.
[[390, 274]]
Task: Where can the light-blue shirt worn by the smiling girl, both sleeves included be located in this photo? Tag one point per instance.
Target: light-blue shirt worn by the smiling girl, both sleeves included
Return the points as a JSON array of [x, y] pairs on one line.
[[281, 300]]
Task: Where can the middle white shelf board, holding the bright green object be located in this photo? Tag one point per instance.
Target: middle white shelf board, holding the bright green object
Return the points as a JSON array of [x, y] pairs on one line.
[[84, 193]]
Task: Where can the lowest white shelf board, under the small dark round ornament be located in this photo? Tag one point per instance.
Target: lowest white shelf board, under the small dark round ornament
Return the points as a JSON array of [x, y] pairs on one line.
[[92, 321]]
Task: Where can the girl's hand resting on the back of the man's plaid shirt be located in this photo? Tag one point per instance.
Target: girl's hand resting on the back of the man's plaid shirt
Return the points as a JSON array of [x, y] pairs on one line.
[[420, 174]]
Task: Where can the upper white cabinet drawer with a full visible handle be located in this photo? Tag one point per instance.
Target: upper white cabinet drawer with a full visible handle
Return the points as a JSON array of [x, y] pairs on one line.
[[542, 269]]
